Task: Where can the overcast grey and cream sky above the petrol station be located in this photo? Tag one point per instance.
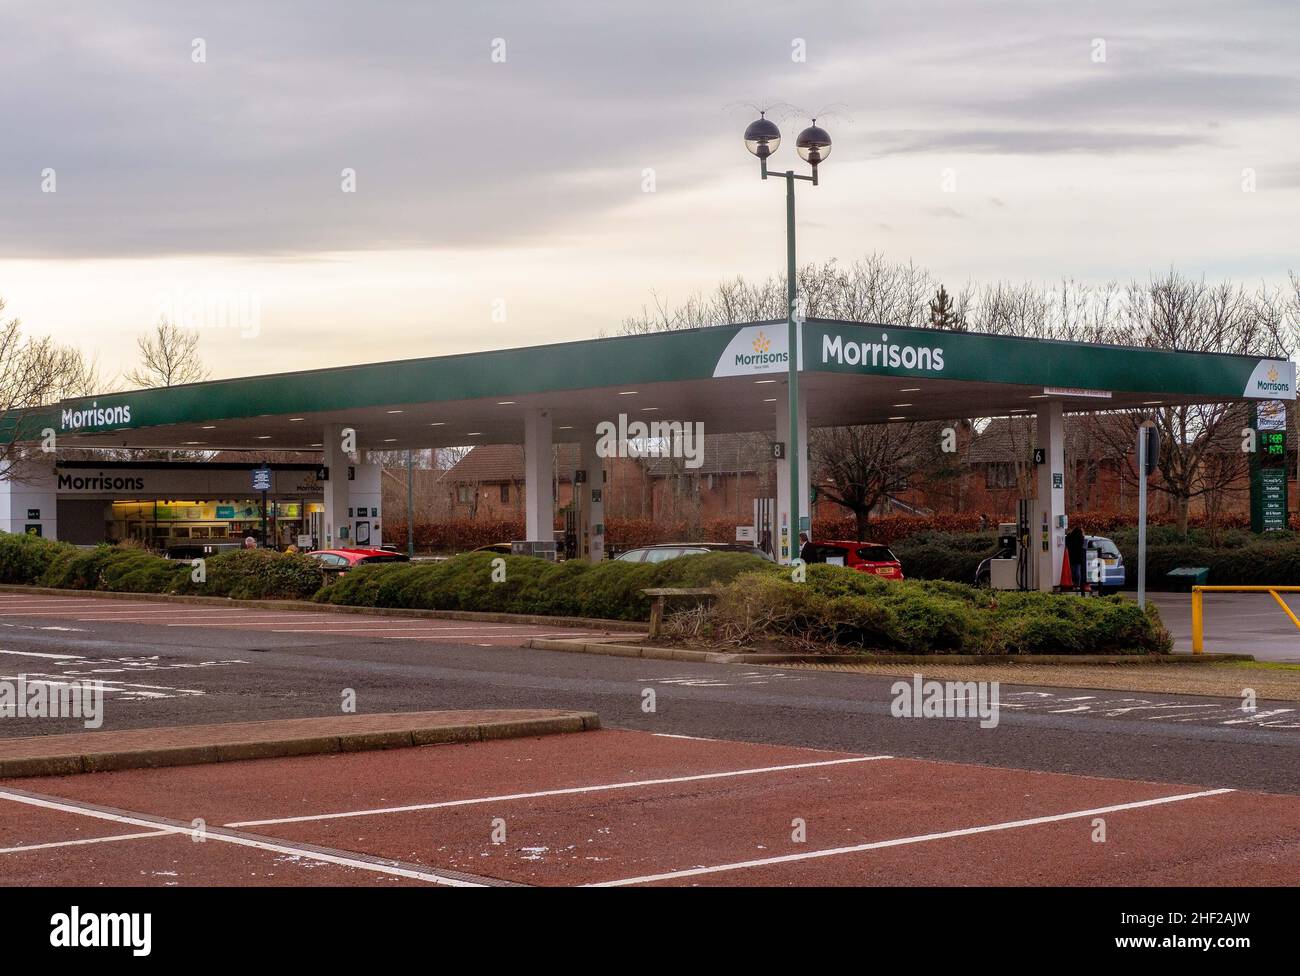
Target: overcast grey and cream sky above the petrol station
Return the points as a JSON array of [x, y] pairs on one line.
[[501, 153]]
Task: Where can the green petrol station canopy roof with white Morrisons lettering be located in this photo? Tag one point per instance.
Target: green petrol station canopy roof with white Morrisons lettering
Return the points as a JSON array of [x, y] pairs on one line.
[[727, 378]]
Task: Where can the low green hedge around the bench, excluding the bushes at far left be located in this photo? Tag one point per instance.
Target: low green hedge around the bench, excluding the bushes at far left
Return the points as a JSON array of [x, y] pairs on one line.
[[759, 602]]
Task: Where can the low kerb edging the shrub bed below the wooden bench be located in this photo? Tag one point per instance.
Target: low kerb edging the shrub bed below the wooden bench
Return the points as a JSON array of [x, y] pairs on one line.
[[627, 650]]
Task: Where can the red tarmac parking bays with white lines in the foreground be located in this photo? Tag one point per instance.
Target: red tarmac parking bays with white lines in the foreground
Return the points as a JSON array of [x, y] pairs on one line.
[[730, 826]]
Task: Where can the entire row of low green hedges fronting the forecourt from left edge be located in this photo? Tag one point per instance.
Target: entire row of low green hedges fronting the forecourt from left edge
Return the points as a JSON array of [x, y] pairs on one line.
[[757, 601]]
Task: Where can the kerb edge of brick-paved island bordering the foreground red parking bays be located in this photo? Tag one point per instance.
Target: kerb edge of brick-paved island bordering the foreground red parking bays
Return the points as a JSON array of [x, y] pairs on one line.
[[272, 747]]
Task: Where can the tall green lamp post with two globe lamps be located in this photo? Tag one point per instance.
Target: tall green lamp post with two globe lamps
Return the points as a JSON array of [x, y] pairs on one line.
[[813, 145]]
